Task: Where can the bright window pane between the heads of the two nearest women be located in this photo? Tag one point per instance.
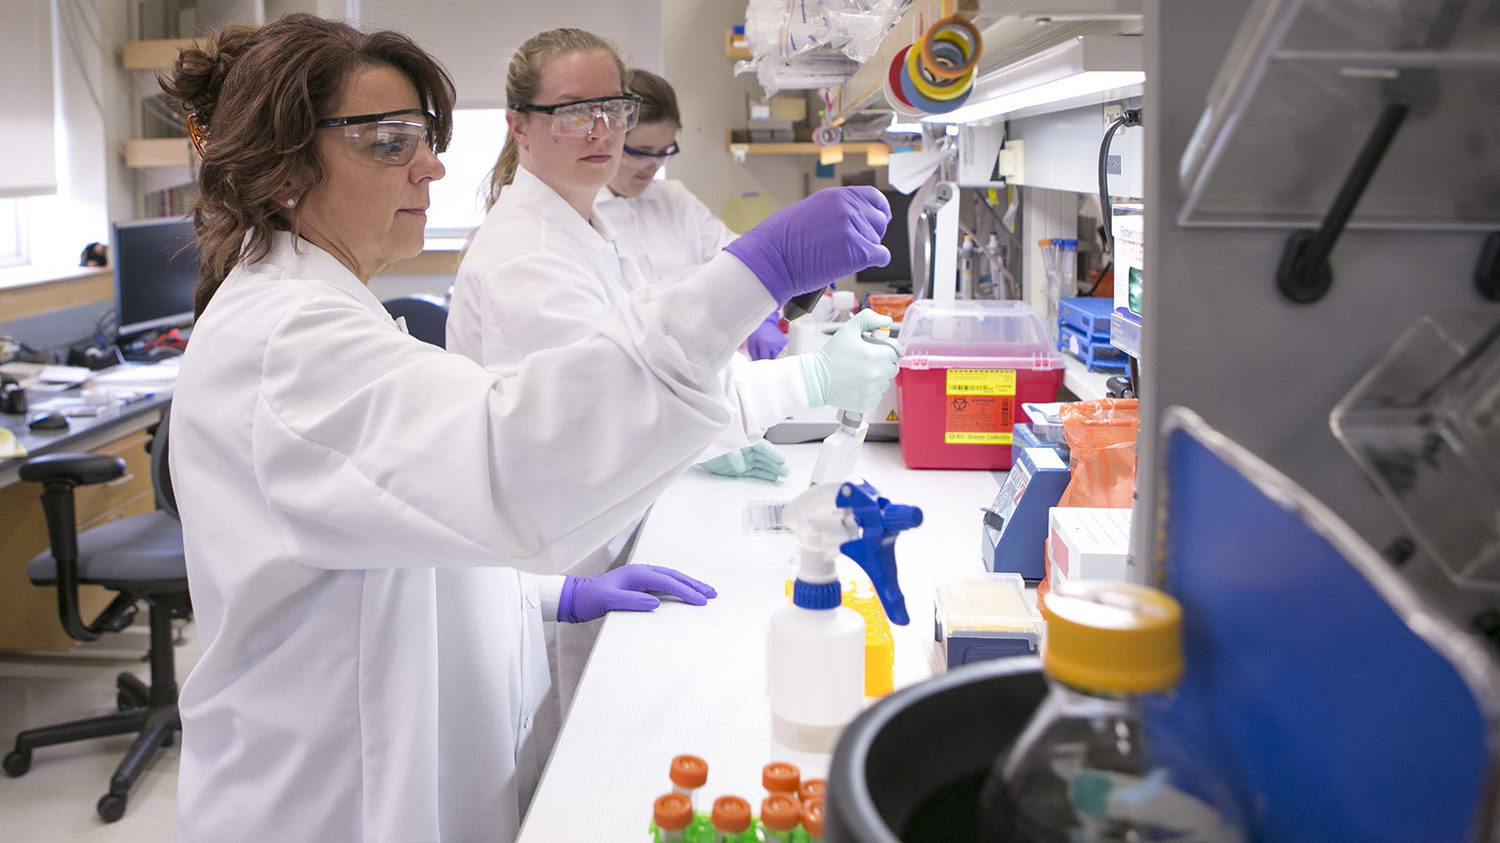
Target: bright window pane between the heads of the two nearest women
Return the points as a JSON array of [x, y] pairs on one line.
[[458, 199]]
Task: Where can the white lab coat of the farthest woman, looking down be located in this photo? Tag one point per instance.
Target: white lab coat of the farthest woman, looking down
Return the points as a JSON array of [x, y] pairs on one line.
[[667, 230]]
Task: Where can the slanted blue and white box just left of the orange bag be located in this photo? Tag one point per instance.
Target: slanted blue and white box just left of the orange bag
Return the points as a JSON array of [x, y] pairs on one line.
[[1015, 533]]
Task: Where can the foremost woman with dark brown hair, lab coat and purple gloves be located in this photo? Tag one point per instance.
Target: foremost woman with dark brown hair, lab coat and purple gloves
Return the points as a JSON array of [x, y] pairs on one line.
[[358, 506]]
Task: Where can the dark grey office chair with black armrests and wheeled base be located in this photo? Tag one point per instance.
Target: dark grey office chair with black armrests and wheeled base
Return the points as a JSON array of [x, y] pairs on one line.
[[142, 559]]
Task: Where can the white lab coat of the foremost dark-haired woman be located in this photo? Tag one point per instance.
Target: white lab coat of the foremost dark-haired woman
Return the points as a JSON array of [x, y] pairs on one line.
[[347, 491]]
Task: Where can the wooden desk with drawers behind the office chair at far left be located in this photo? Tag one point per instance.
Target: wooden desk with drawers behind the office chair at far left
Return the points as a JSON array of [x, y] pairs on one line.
[[29, 614]]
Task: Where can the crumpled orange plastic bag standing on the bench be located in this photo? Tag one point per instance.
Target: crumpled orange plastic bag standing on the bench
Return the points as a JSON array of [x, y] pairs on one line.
[[1102, 445]]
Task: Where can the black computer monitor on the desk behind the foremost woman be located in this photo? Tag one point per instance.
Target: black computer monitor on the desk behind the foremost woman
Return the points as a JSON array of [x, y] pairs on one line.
[[155, 272]]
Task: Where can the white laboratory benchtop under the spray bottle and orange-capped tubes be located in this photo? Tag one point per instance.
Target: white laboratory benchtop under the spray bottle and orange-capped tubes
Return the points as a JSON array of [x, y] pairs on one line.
[[694, 680]]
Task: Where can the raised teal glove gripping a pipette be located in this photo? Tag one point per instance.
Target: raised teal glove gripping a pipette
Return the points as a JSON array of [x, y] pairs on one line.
[[850, 373]]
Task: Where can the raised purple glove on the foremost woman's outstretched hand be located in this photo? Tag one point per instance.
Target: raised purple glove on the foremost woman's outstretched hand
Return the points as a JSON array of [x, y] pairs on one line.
[[818, 241]]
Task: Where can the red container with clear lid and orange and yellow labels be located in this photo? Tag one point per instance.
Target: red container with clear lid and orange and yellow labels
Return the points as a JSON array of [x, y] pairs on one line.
[[967, 368]]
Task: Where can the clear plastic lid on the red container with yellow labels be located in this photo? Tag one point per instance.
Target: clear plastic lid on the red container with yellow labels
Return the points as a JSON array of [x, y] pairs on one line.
[[1006, 335]]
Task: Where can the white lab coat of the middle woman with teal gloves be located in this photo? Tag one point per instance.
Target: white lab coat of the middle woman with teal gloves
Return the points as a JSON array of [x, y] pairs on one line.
[[538, 275]]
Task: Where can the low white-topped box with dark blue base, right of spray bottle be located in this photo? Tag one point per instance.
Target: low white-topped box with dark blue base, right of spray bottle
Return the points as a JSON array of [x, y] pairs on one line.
[[985, 617]]
